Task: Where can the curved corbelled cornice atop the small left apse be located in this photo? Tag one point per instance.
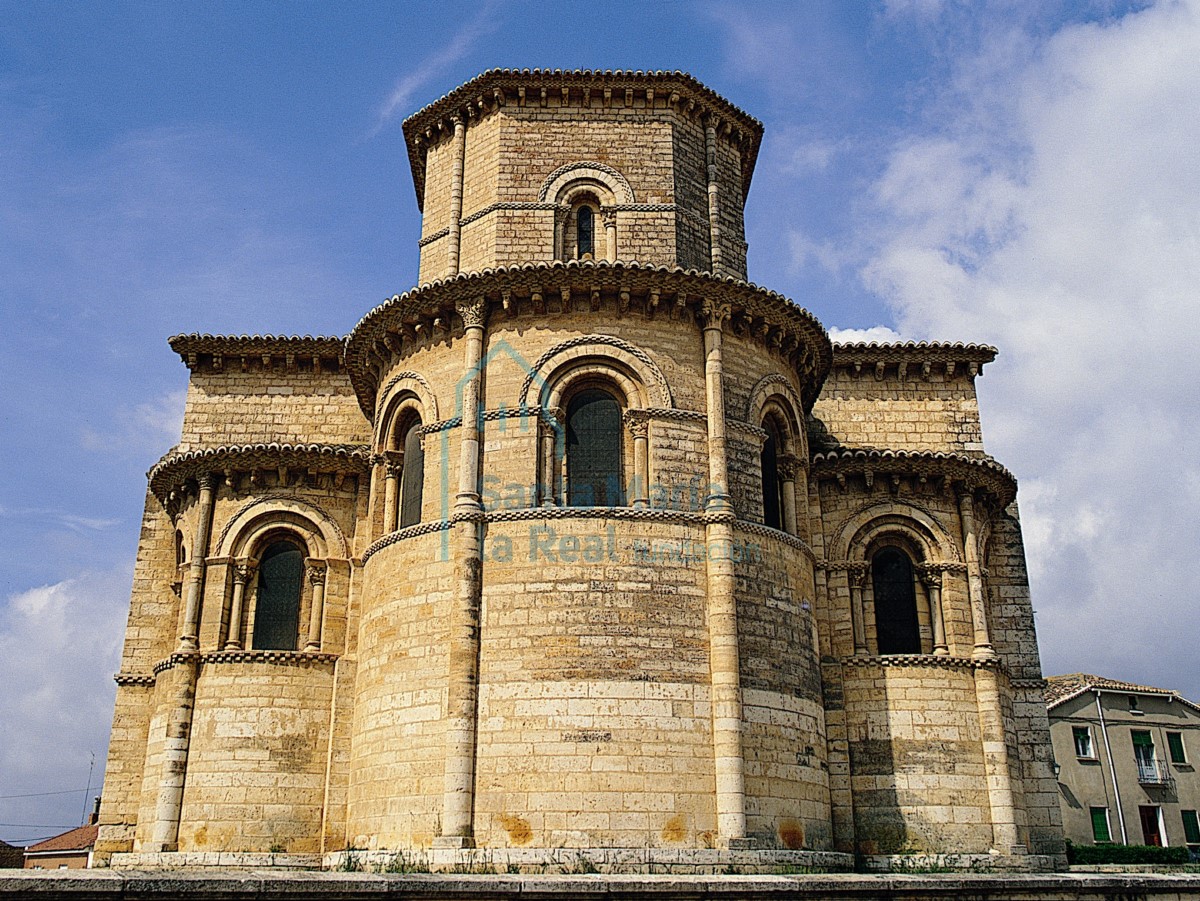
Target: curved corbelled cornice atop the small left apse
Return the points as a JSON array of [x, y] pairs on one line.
[[170, 473]]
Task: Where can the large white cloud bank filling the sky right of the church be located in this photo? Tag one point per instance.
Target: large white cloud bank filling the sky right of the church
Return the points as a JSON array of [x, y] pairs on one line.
[[1073, 244]]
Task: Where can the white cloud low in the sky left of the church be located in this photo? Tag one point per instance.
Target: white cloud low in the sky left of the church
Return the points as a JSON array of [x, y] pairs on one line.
[[59, 648]]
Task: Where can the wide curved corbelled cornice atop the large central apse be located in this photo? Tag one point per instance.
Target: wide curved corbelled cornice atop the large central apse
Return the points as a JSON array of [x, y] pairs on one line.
[[619, 290]]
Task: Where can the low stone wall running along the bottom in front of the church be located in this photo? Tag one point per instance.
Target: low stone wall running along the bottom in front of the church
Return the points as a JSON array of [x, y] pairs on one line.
[[238, 885]]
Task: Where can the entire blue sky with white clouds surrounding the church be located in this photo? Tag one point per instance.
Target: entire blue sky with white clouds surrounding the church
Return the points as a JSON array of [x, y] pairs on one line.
[[1016, 173]]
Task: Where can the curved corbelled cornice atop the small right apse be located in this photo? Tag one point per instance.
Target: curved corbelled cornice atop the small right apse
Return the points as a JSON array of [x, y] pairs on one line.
[[975, 473]]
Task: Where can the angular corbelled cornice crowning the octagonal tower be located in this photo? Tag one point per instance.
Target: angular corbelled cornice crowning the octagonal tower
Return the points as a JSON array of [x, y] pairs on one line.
[[497, 88]]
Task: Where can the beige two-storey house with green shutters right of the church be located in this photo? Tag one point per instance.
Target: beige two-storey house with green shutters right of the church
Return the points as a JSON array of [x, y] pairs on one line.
[[1126, 758]]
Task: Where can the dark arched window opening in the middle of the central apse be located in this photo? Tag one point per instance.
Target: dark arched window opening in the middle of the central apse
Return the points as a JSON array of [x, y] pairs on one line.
[[593, 449]]
